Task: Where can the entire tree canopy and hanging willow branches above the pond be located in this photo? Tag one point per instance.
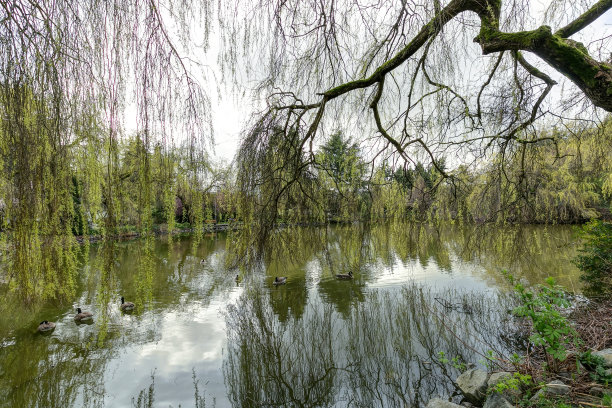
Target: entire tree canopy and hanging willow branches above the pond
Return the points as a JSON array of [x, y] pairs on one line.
[[106, 114]]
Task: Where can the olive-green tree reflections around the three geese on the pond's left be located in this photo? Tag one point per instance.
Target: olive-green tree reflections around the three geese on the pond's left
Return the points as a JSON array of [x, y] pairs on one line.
[[67, 368]]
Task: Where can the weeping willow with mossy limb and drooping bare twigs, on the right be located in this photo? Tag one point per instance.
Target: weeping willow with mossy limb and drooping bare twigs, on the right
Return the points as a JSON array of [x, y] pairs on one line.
[[416, 82]]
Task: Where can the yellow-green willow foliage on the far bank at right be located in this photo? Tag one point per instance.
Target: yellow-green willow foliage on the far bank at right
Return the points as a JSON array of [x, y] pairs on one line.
[[564, 182]]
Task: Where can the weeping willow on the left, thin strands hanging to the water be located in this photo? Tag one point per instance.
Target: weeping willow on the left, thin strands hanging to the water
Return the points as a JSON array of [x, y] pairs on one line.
[[68, 72]]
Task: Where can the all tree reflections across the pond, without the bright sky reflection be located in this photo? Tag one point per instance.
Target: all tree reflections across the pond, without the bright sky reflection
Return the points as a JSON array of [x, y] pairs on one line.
[[383, 345]]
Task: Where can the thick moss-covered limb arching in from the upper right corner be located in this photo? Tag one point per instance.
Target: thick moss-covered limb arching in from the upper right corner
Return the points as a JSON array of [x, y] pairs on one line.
[[568, 57]]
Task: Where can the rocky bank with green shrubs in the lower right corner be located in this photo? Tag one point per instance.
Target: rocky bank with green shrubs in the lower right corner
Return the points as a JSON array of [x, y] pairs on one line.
[[568, 359]]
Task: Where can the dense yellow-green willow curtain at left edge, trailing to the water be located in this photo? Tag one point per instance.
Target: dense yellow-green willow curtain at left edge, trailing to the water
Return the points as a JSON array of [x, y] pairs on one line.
[[38, 197]]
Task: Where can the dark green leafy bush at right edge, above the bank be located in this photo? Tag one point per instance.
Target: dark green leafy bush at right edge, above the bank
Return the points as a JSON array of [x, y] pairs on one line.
[[595, 258]]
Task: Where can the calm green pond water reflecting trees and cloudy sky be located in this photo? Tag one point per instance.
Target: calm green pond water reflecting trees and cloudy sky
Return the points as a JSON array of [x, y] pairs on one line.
[[199, 338]]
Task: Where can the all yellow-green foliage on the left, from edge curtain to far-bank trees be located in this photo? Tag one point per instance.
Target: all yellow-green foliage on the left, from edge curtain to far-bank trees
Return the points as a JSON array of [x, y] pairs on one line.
[[56, 184]]
